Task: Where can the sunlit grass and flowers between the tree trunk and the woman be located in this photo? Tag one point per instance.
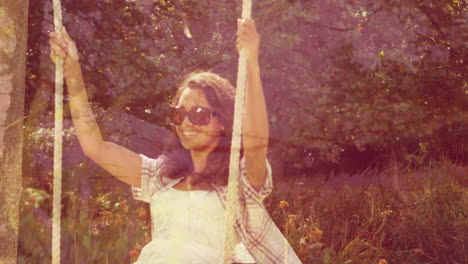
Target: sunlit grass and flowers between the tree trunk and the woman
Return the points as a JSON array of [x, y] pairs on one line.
[[107, 228]]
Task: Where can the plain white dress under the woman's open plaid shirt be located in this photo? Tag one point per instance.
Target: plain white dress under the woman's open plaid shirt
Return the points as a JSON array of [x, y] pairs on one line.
[[187, 228]]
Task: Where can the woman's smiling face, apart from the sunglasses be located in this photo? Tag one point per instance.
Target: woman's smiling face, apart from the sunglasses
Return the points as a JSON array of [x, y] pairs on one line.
[[193, 137]]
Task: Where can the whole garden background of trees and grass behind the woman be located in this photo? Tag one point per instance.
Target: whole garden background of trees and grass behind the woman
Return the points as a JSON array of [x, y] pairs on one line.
[[367, 106]]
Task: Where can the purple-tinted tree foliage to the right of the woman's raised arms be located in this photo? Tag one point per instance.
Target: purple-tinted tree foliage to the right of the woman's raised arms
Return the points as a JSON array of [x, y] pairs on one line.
[[375, 75]]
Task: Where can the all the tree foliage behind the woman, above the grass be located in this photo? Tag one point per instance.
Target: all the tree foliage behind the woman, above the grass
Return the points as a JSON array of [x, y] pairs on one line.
[[340, 77]]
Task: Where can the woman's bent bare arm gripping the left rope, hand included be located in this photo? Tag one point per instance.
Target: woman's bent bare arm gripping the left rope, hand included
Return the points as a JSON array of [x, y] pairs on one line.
[[117, 160]]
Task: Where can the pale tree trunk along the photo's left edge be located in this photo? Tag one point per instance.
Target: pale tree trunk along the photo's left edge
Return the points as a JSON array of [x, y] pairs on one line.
[[13, 39]]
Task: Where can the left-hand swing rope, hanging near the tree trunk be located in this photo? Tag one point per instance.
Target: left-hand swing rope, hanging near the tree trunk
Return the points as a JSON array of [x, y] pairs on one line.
[[56, 207]]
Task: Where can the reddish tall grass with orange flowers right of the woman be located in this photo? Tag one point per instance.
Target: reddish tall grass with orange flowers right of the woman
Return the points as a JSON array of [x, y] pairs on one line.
[[349, 223]]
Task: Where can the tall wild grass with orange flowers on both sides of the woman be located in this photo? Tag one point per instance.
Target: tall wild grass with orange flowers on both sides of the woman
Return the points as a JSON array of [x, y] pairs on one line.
[[361, 219]]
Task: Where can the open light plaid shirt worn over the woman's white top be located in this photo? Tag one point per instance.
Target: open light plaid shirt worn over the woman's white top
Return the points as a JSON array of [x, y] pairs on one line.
[[254, 227]]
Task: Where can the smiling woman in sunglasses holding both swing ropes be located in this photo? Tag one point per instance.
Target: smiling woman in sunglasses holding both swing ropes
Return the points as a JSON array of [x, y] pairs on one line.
[[186, 187]]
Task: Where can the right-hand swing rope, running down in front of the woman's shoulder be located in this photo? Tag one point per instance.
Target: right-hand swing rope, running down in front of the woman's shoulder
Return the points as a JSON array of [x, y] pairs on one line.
[[233, 206]]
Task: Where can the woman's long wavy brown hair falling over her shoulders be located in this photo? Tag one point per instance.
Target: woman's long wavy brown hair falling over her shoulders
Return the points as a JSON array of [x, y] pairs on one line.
[[220, 95]]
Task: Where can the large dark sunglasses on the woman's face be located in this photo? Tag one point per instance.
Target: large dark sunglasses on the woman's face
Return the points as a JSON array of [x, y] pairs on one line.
[[198, 115]]
